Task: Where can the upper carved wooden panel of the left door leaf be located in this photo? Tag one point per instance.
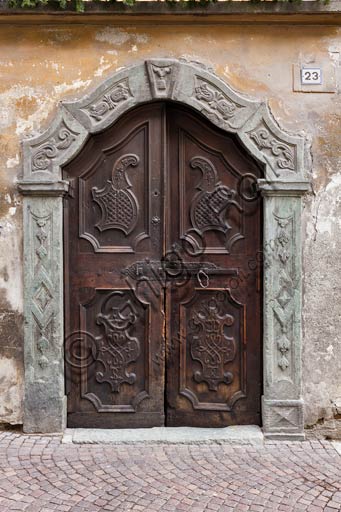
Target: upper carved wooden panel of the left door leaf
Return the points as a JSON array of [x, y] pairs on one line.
[[114, 198]]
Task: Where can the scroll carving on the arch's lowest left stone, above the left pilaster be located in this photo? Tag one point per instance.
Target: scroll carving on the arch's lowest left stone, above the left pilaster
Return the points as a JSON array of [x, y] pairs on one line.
[[44, 155]]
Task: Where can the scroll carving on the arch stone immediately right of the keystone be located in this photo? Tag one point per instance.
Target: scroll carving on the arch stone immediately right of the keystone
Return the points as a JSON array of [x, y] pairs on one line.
[[216, 105]]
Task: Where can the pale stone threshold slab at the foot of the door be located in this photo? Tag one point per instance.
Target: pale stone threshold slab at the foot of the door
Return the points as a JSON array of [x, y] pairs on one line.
[[236, 435]]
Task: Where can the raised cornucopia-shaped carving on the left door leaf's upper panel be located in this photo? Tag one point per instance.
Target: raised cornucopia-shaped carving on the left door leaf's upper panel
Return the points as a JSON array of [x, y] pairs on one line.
[[118, 204]]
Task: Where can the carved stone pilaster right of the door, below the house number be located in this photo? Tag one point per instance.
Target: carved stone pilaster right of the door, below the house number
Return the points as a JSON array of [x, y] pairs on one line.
[[282, 401]]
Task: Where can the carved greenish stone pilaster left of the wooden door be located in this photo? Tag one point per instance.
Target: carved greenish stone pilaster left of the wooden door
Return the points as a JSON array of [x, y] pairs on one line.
[[44, 406]]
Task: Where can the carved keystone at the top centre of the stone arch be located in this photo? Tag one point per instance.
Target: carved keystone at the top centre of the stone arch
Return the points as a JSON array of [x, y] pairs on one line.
[[162, 76]]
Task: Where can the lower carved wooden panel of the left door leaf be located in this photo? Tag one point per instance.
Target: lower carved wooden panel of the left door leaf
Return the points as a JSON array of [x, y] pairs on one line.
[[117, 379]]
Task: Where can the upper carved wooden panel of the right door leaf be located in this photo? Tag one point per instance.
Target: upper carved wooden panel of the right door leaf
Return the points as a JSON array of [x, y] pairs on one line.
[[212, 205]]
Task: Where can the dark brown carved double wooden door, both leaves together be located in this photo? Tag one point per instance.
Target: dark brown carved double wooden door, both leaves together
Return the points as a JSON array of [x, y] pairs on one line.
[[162, 233]]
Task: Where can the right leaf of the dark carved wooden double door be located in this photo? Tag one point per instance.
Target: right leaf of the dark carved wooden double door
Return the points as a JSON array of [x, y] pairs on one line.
[[213, 315]]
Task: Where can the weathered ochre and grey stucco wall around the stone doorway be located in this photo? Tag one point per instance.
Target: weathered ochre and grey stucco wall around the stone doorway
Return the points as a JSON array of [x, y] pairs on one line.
[[40, 65]]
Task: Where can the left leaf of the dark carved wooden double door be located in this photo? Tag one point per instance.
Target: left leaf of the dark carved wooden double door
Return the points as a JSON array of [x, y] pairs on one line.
[[113, 219]]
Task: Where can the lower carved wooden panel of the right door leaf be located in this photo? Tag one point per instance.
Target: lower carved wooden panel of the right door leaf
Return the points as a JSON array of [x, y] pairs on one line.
[[212, 325]]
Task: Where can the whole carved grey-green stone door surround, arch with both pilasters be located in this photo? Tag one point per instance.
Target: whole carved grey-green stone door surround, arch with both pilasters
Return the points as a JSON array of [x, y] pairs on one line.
[[43, 187]]
